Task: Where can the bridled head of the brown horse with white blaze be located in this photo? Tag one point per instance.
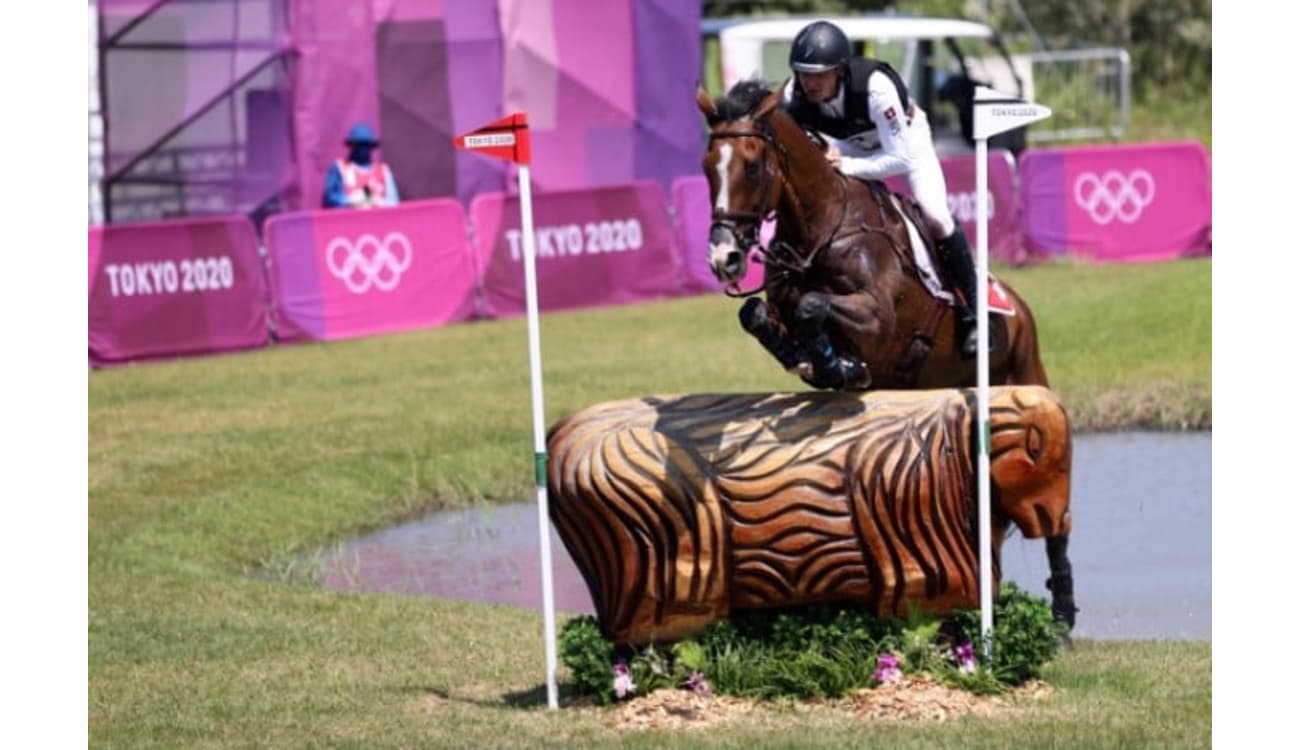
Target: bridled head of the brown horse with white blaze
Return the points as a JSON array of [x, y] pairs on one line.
[[744, 174]]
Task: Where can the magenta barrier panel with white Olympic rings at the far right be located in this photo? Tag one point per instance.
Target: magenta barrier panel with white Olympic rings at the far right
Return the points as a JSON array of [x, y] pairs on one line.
[[1119, 203]]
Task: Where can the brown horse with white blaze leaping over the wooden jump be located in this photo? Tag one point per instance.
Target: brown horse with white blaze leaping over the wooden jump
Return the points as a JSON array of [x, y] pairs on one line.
[[846, 302]]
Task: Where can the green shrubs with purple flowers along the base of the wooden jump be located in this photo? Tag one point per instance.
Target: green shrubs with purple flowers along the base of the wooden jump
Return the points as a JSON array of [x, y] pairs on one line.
[[820, 652]]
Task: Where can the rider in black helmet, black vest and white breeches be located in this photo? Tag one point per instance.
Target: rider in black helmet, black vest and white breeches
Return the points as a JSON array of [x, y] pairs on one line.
[[876, 131]]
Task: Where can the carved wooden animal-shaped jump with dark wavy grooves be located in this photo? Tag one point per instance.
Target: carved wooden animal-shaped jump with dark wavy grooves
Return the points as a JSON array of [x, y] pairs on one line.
[[682, 510]]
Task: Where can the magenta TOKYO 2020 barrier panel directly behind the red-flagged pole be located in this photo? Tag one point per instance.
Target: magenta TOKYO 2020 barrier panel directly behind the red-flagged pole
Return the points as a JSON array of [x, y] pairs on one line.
[[595, 248]]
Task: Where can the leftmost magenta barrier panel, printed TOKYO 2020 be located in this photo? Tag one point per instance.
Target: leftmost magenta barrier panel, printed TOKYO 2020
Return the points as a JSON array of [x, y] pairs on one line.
[[176, 288]]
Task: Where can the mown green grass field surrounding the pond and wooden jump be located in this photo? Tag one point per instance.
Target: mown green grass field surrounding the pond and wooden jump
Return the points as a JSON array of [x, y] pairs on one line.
[[203, 471]]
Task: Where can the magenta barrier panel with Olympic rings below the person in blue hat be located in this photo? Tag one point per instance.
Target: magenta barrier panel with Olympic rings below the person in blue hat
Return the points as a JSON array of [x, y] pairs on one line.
[[346, 274]]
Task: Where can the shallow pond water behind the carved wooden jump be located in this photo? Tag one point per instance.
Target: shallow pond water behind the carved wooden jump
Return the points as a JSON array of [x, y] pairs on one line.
[[1141, 547]]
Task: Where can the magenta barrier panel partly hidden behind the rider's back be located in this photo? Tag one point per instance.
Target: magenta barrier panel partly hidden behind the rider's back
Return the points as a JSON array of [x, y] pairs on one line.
[[1004, 223]]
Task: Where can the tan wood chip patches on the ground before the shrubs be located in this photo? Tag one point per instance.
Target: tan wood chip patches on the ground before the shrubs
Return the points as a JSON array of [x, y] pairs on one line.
[[915, 699]]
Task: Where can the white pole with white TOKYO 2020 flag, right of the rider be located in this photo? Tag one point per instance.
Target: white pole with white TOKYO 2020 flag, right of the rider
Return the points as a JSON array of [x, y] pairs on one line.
[[994, 114]]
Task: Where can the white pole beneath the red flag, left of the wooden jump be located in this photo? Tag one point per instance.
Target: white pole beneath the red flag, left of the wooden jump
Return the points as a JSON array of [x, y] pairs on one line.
[[535, 370]]
